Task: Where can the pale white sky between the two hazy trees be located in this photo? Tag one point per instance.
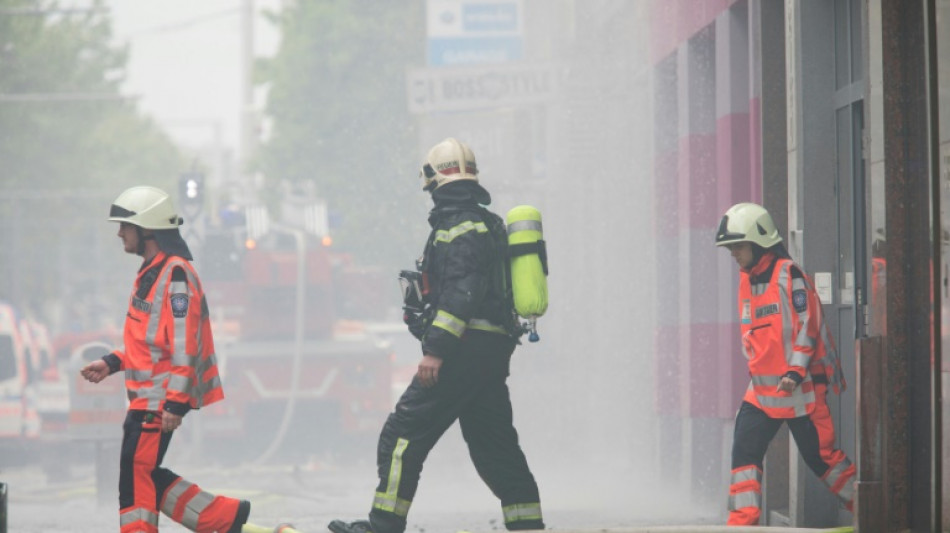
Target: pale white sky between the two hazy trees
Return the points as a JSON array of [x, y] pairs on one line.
[[185, 62]]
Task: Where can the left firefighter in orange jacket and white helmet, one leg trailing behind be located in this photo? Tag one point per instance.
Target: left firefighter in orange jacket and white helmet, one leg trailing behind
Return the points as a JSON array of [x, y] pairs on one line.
[[170, 368]]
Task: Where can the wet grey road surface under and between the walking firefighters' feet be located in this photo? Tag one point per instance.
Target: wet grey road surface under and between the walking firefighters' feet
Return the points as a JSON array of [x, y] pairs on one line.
[[312, 492]]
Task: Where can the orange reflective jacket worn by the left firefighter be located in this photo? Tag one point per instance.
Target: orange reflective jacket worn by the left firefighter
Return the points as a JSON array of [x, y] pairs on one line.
[[169, 359]]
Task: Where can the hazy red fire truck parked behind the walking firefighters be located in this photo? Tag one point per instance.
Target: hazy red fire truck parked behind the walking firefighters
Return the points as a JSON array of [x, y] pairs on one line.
[[324, 388]]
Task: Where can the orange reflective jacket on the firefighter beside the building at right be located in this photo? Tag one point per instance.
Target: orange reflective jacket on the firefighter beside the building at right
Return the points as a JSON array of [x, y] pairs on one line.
[[783, 330]]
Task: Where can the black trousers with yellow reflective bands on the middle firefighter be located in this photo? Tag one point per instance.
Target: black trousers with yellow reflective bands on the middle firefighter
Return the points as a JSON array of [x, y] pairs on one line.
[[472, 389]]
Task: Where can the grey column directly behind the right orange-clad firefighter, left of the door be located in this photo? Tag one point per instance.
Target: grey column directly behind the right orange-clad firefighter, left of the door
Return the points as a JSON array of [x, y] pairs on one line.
[[812, 197]]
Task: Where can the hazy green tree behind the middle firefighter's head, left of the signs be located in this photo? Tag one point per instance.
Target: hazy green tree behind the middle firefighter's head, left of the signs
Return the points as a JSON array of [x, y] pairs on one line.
[[337, 98]]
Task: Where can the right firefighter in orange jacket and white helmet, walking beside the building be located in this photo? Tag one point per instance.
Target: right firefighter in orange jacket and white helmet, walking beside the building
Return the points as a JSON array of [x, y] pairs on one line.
[[792, 360]]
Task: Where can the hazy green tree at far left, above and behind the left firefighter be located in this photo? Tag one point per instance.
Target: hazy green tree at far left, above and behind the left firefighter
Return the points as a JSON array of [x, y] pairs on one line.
[[69, 142]]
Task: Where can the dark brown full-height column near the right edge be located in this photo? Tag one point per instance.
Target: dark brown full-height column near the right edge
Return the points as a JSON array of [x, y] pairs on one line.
[[912, 361]]
